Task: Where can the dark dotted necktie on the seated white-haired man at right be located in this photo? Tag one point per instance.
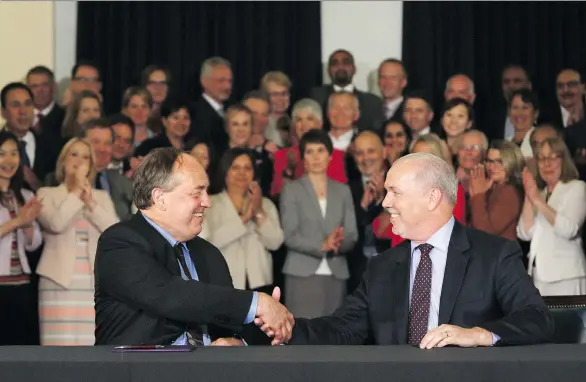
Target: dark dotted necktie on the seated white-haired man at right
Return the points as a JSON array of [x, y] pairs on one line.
[[420, 297]]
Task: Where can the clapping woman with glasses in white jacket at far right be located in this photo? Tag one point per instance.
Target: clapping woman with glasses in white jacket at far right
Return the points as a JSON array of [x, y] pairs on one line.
[[553, 214]]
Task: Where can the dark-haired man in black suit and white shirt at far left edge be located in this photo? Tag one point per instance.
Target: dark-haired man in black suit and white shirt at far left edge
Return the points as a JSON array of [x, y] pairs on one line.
[[38, 151]]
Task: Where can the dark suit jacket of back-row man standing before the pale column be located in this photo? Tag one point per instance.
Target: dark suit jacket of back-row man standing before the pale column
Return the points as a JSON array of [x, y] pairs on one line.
[[371, 107]]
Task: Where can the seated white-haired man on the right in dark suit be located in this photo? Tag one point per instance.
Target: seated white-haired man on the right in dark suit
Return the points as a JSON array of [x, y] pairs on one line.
[[446, 285]]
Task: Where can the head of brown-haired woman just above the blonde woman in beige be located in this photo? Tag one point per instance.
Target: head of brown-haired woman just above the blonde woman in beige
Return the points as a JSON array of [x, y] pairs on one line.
[[85, 106]]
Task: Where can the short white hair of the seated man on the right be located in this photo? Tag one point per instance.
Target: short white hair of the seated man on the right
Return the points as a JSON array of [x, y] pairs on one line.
[[434, 172]]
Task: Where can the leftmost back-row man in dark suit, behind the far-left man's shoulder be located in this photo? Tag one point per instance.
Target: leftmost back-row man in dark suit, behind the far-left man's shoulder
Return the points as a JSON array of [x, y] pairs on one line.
[[48, 115]]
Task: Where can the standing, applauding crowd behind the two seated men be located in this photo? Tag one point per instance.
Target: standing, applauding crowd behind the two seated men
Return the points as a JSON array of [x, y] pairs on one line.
[[304, 179]]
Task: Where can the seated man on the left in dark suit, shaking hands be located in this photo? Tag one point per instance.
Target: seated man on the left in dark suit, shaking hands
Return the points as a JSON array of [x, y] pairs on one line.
[[157, 282]]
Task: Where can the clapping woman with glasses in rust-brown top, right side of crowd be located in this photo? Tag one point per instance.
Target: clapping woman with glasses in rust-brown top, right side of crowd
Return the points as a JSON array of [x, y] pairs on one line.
[[496, 193]]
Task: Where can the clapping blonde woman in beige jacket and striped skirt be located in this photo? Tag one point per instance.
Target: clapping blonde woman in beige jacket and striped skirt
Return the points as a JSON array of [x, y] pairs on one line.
[[72, 218]]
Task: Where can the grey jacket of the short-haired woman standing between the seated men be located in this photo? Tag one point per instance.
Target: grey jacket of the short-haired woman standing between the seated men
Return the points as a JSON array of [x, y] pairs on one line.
[[305, 228]]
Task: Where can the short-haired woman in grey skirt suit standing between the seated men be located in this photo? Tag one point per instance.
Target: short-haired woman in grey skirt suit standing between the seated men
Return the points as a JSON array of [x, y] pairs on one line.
[[319, 225]]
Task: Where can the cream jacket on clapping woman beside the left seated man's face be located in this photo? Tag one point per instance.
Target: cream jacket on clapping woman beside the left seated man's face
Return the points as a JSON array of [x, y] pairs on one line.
[[244, 246]]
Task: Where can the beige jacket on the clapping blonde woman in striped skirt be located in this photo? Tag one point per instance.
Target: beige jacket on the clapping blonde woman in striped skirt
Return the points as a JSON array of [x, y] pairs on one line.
[[60, 211]]
